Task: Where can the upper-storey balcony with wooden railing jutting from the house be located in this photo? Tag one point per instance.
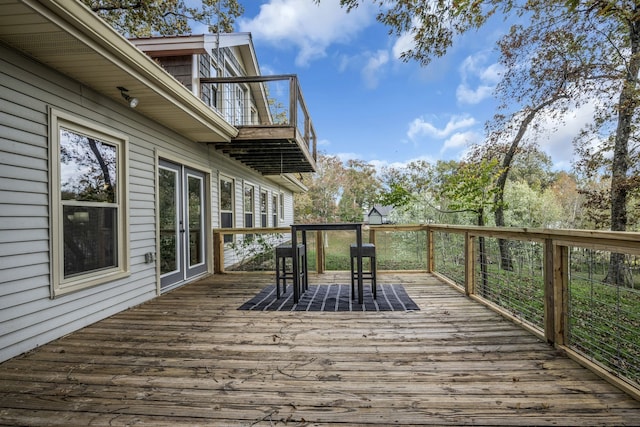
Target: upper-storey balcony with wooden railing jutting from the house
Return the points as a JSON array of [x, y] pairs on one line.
[[275, 131]]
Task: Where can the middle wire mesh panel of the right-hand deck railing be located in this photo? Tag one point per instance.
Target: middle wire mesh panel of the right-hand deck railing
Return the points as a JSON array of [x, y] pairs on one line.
[[510, 274]]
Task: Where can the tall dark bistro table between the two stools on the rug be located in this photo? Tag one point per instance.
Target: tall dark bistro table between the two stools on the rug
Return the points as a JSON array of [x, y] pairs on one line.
[[298, 287]]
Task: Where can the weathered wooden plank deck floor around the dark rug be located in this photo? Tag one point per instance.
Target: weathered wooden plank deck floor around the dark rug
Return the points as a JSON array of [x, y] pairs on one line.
[[190, 358]]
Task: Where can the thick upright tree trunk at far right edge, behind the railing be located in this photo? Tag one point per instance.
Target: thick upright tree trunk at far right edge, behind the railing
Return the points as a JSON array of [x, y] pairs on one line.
[[627, 105]]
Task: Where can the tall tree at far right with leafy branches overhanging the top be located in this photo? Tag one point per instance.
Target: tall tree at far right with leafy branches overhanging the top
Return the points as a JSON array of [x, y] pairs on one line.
[[606, 46]]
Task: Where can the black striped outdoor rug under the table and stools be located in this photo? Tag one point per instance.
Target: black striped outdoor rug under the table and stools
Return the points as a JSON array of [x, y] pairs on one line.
[[332, 298]]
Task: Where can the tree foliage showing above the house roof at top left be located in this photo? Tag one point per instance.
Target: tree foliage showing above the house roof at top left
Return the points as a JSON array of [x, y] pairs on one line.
[[143, 18]]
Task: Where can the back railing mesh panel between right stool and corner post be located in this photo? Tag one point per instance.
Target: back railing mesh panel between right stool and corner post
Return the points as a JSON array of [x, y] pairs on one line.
[[401, 250]]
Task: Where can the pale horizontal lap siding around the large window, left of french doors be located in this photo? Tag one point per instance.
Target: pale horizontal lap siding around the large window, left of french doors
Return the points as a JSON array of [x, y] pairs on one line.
[[28, 316]]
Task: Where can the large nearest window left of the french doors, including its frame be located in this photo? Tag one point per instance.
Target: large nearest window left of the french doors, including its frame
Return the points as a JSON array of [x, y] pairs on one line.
[[89, 217]]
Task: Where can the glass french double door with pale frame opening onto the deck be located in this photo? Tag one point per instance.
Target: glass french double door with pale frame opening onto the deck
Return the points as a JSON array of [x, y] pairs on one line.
[[183, 248]]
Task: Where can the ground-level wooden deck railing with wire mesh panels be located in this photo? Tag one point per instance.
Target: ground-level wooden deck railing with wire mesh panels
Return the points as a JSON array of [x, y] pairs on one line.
[[553, 282]]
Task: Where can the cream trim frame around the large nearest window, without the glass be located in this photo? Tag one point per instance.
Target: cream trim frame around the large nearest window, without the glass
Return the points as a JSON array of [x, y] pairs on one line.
[[59, 285]]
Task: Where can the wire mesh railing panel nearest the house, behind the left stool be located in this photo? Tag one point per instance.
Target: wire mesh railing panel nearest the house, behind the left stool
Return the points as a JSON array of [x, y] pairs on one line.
[[253, 252]]
